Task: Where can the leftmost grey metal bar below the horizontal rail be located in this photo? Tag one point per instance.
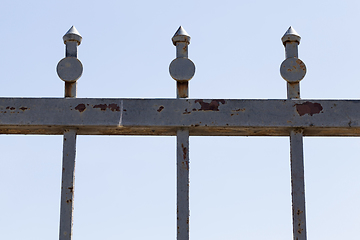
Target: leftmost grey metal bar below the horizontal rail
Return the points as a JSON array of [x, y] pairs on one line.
[[67, 185]]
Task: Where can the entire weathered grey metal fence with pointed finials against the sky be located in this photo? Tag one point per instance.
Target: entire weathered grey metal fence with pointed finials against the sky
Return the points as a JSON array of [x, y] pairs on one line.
[[181, 117]]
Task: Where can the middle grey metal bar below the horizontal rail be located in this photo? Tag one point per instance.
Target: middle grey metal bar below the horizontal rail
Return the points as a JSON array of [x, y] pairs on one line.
[[182, 163]]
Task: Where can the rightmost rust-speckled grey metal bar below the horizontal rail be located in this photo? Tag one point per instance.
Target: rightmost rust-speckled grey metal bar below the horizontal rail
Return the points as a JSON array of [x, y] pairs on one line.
[[297, 185]]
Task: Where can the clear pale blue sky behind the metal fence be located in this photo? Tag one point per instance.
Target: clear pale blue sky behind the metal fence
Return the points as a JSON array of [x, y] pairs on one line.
[[125, 185]]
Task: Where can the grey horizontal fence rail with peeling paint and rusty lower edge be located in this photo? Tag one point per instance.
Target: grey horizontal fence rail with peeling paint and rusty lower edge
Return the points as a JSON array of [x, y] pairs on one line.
[[203, 117]]
